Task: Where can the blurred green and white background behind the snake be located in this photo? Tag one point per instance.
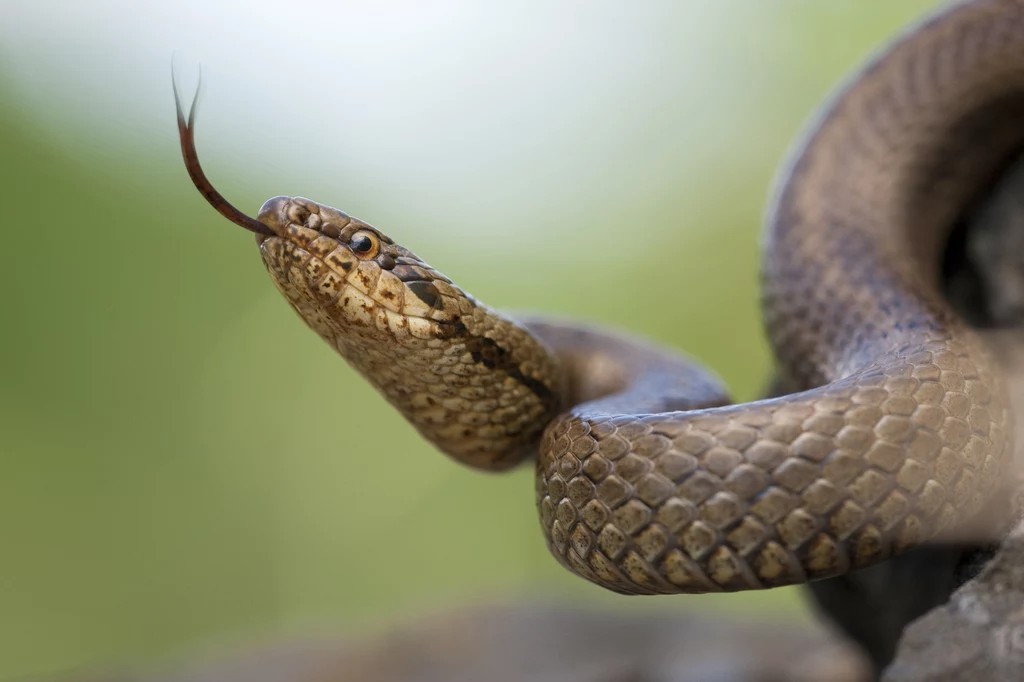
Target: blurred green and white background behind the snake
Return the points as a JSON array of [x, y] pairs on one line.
[[184, 466]]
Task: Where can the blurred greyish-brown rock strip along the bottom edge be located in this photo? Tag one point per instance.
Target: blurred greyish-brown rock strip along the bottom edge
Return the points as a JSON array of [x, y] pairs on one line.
[[546, 645]]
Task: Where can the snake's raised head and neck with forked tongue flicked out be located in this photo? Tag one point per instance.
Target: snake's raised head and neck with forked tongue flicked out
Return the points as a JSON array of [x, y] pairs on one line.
[[475, 383]]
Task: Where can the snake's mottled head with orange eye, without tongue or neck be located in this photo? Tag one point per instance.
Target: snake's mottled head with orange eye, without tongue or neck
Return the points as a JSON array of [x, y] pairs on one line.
[[336, 269]]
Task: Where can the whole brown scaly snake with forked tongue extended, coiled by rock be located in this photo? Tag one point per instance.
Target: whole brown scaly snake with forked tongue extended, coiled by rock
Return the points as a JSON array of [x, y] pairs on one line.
[[894, 430]]
